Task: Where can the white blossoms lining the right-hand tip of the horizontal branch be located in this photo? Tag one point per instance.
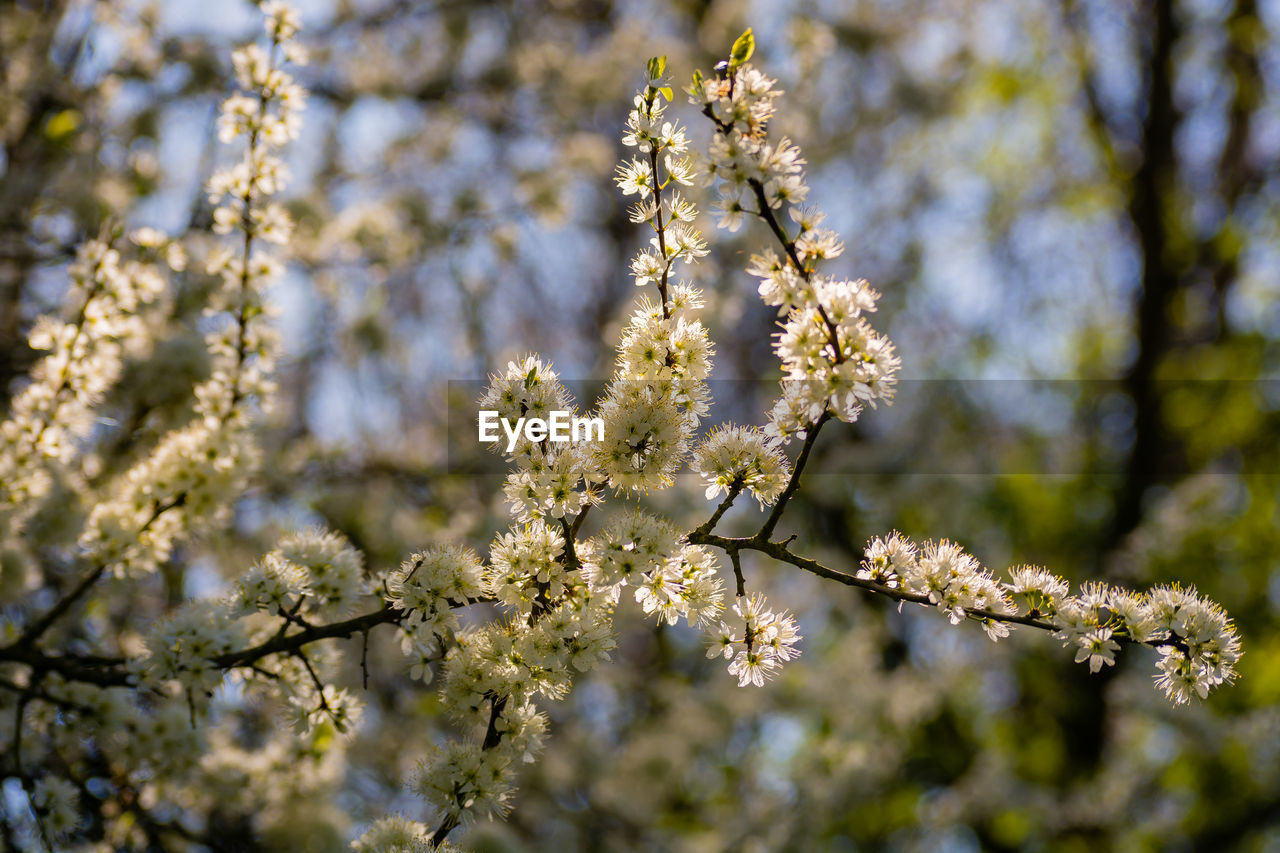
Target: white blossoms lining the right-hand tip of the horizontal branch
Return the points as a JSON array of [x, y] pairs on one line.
[[1197, 641]]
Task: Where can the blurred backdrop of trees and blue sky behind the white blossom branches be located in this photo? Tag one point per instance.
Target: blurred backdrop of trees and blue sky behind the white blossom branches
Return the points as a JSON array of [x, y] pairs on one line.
[[1072, 211]]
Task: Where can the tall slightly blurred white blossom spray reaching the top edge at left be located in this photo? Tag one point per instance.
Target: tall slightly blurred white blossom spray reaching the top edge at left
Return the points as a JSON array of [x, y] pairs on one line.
[[196, 472]]
